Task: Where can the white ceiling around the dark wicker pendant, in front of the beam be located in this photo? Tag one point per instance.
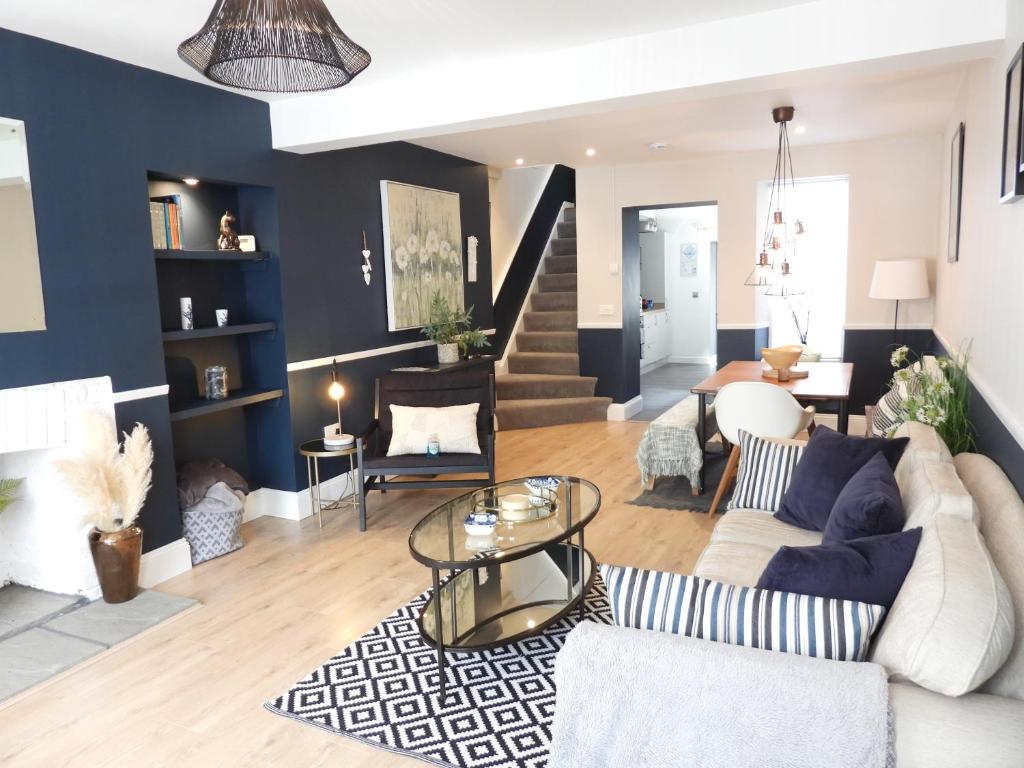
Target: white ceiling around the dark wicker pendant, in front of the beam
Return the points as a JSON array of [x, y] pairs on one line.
[[401, 35]]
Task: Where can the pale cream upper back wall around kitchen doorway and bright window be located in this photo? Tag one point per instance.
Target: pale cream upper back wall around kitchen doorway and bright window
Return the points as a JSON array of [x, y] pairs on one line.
[[895, 193]]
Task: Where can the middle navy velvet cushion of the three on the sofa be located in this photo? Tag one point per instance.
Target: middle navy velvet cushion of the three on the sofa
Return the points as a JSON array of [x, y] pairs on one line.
[[869, 505]]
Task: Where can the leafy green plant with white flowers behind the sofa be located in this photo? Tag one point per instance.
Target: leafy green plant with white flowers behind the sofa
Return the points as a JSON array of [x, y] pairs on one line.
[[936, 397]]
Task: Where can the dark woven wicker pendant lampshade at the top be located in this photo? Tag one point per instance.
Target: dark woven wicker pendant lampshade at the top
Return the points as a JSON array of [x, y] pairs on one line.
[[275, 46]]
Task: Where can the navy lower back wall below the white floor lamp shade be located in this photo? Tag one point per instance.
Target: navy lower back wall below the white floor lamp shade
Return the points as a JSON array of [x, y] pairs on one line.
[[870, 351]]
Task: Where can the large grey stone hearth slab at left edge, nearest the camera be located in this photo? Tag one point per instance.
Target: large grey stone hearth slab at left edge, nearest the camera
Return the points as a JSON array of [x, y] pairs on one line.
[[36, 655]]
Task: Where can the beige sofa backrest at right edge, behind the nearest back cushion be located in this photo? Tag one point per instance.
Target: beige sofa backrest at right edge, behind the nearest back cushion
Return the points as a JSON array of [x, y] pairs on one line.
[[1002, 523]]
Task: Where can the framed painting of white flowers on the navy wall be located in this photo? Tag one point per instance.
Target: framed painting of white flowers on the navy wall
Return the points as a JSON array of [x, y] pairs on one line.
[[422, 252]]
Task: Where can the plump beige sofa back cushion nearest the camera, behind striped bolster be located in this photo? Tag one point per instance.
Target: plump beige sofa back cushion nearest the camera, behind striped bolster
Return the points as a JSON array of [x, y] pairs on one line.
[[952, 625]]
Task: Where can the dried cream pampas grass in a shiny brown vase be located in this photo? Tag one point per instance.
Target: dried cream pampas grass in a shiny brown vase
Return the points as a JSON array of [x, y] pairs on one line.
[[112, 483]]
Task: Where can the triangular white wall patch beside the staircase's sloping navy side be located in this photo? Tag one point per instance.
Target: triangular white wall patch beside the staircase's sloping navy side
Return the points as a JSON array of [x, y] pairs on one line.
[[515, 195]]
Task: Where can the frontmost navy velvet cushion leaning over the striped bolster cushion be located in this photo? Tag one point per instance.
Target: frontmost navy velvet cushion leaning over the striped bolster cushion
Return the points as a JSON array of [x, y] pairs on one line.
[[870, 570]]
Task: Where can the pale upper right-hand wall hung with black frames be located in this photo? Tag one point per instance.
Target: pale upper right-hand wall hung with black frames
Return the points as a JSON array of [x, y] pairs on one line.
[[979, 298]]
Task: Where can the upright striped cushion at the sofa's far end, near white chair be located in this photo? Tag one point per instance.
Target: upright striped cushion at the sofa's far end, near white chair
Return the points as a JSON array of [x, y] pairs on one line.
[[765, 471]]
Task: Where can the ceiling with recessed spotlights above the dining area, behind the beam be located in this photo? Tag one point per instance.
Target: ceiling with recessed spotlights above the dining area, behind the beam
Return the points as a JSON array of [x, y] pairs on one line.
[[856, 109]]
